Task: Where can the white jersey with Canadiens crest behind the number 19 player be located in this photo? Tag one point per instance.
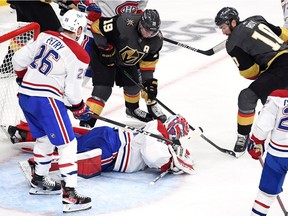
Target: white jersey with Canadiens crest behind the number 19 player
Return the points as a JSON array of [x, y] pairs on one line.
[[112, 8]]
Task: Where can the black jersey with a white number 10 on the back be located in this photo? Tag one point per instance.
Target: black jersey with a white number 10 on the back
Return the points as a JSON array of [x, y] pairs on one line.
[[254, 44]]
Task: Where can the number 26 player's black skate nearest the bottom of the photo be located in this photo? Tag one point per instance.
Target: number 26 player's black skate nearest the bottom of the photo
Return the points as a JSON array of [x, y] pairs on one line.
[[72, 201]]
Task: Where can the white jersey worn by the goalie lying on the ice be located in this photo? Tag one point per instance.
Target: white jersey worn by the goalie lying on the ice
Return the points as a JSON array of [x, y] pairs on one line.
[[138, 151]]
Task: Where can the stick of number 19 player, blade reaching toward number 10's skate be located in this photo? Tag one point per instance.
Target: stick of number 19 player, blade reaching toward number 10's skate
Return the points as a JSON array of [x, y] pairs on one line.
[[226, 151]]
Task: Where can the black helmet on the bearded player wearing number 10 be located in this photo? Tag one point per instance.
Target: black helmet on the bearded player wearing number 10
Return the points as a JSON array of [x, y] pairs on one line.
[[226, 15]]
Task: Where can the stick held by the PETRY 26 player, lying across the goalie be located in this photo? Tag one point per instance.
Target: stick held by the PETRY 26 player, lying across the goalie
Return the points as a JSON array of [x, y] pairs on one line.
[[130, 128]]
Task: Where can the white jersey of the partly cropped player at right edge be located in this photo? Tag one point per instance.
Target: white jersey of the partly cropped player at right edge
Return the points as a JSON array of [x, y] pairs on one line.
[[274, 117]]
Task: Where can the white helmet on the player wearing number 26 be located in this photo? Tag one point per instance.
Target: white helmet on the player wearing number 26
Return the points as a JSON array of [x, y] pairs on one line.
[[73, 19]]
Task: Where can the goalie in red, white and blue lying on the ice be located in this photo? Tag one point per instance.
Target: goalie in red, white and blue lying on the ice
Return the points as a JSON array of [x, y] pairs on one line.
[[123, 151]]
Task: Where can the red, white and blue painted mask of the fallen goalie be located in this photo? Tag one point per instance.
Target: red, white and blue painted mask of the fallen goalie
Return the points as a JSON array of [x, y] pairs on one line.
[[177, 127]]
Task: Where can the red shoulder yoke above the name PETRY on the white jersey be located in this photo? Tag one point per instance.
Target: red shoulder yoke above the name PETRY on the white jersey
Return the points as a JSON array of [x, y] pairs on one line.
[[73, 45]]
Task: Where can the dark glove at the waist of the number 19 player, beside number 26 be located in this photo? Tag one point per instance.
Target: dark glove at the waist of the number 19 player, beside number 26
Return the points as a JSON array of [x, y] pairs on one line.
[[107, 56]]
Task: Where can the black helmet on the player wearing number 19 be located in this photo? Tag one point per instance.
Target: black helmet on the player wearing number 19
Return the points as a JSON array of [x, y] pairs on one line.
[[150, 21]]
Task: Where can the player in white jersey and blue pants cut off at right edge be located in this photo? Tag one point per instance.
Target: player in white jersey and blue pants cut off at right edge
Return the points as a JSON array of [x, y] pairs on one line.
[[273, 121]]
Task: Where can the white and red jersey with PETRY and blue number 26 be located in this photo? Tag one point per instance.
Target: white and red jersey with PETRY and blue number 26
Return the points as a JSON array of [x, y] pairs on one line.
[[56, 66]]
